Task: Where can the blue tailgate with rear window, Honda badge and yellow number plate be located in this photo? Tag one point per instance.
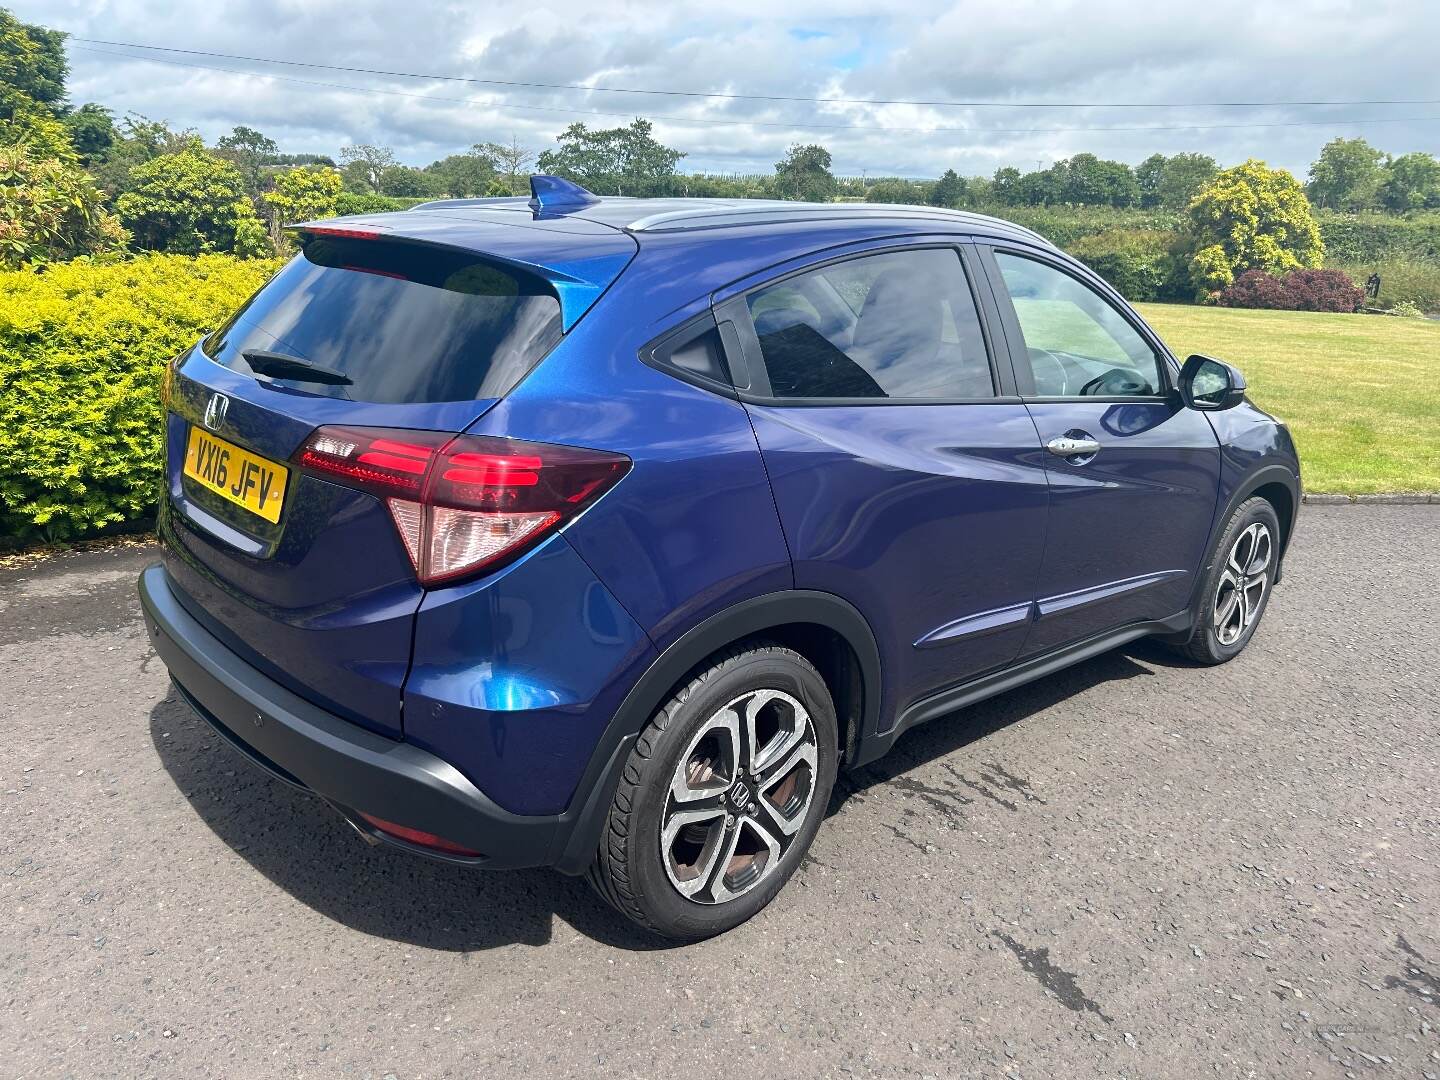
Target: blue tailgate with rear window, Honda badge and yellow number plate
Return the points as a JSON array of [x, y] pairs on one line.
[[307, 580]]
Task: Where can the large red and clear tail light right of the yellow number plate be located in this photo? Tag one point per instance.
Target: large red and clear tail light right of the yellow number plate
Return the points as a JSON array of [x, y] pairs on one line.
[[464, 503]]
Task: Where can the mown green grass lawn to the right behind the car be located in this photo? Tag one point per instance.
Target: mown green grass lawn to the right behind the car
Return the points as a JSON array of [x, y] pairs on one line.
[[1362, 394]]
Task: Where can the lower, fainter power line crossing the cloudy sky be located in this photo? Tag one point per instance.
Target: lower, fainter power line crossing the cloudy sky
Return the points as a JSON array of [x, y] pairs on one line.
[[793, 126]]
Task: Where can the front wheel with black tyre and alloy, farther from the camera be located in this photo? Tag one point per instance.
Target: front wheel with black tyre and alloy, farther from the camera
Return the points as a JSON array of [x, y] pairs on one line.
[[1238, 582]]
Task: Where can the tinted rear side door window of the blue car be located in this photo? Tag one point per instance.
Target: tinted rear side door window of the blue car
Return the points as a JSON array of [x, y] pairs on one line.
[[899, 325]]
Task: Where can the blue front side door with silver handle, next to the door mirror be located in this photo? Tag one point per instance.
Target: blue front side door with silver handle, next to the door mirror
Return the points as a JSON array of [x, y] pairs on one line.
[[1134, 474]]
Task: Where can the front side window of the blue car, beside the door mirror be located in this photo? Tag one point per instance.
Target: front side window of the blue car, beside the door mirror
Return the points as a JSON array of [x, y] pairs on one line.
[[1078, 345]]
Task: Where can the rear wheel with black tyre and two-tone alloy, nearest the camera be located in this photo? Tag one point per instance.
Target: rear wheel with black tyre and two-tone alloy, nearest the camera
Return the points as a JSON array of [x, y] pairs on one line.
[[722, 796]]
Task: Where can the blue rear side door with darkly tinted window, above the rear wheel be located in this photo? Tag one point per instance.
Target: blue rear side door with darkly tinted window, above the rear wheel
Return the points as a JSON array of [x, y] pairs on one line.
[[905, 470]]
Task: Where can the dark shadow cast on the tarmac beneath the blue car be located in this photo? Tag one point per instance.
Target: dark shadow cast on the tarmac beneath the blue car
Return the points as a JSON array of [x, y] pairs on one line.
[[306, 849]]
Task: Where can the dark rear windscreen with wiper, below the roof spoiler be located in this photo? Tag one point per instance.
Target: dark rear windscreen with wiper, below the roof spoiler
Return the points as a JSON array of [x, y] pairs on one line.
[[401, 322]]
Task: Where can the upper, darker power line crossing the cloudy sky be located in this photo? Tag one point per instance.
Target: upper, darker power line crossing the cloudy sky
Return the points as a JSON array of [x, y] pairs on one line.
[[765, 97]]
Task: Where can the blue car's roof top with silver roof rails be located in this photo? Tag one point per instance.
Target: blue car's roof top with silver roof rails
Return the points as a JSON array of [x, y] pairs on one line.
[[642, 217]]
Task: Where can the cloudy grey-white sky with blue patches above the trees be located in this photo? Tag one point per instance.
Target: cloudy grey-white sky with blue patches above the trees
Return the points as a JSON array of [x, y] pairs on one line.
[[1095, 54]]
